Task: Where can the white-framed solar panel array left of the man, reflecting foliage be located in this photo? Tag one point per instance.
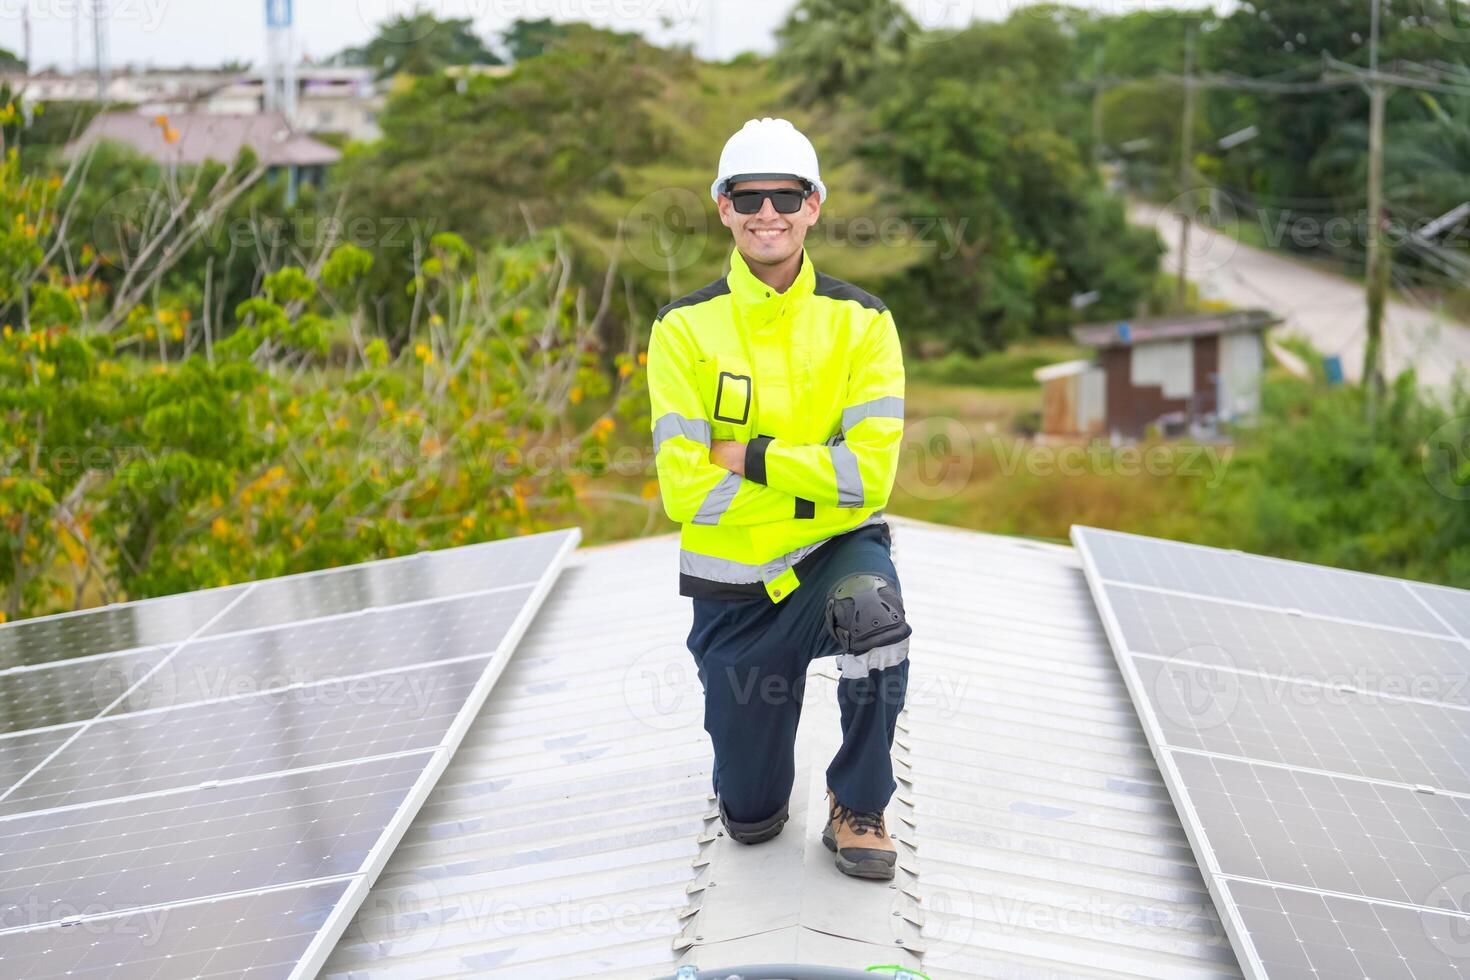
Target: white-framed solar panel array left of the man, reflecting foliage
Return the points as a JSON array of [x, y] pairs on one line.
[[224, 774]]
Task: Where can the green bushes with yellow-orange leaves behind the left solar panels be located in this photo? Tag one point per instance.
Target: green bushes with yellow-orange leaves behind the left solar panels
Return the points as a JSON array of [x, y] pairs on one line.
[[145, 462]]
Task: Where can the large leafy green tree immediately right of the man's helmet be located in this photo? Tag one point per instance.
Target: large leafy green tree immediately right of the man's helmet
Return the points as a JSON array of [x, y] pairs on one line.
[[977, 134]]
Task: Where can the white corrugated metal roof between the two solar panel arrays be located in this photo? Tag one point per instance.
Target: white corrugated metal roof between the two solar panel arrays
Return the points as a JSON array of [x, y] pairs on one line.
[[574, 834]]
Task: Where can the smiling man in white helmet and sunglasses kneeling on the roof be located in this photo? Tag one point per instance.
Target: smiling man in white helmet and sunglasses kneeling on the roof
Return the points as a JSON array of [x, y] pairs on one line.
[[778, 411]]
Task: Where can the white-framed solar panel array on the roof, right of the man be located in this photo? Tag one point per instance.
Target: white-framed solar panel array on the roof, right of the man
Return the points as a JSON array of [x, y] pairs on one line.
[[1313, 728]]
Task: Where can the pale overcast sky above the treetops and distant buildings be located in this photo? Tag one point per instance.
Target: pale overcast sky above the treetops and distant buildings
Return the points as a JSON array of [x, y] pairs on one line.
[[199, 33]]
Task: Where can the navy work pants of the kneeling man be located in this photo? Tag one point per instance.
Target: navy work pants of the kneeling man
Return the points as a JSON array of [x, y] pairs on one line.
[[753, 656]]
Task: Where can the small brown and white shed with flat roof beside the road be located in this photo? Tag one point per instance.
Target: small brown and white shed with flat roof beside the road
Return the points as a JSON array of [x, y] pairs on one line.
[[1181, 375]]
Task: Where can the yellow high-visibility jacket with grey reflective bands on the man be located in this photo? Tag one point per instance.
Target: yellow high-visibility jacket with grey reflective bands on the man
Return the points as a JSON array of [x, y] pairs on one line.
[[812, 380]]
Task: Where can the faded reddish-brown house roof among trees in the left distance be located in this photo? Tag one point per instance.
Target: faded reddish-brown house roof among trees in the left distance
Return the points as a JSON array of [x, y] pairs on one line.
[[208, 137]]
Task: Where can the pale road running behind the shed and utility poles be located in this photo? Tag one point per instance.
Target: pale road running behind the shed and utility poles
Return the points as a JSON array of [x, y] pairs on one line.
[[1327, 309]]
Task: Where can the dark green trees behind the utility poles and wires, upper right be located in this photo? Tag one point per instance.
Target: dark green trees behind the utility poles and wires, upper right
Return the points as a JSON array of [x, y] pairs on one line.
[[1309, 162]]
